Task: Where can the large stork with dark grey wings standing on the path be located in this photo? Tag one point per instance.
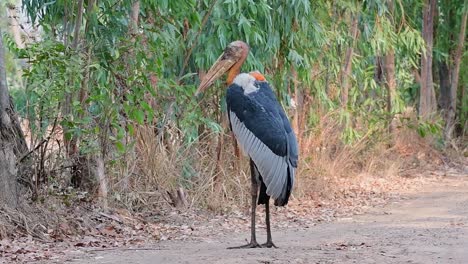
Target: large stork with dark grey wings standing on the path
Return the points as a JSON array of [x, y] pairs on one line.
[[261, 128]]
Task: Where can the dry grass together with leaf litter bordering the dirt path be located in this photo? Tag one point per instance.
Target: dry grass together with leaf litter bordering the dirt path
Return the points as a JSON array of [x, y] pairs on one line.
[[334, 180]]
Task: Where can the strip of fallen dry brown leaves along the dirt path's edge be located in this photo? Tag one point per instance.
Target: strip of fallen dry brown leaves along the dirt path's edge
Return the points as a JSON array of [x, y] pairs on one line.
[[84, 228]]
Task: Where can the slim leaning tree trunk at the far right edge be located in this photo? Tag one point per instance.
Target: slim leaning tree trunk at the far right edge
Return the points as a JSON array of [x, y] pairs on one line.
[[457, 56]]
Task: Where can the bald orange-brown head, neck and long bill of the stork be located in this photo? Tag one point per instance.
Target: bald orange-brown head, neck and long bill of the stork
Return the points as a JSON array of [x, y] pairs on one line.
[[231, 60]]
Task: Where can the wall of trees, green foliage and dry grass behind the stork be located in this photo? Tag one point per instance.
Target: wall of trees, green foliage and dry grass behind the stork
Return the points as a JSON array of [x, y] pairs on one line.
[[105, 89]]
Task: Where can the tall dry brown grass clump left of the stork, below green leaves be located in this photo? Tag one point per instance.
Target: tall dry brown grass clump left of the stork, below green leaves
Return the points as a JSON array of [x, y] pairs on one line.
[[159, 167]]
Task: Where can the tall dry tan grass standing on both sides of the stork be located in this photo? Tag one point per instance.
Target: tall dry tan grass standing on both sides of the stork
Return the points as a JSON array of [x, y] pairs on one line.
[[151, 175]]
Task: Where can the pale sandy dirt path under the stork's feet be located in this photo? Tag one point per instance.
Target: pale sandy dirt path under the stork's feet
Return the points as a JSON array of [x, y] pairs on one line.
[[428, 227]]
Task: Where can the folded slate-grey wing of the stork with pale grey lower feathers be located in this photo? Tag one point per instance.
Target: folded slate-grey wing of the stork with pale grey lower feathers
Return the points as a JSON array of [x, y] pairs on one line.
[[257, 121]]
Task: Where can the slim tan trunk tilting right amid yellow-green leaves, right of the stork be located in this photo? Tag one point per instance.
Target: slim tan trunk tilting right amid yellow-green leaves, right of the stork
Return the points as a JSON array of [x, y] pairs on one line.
[[346, 70]]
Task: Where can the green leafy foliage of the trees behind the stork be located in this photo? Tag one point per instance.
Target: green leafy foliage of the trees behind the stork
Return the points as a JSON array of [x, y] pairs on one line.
[[149, 76]]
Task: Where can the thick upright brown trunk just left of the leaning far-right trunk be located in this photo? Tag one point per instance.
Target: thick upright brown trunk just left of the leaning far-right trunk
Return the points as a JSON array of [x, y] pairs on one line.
[[427, 102]]
